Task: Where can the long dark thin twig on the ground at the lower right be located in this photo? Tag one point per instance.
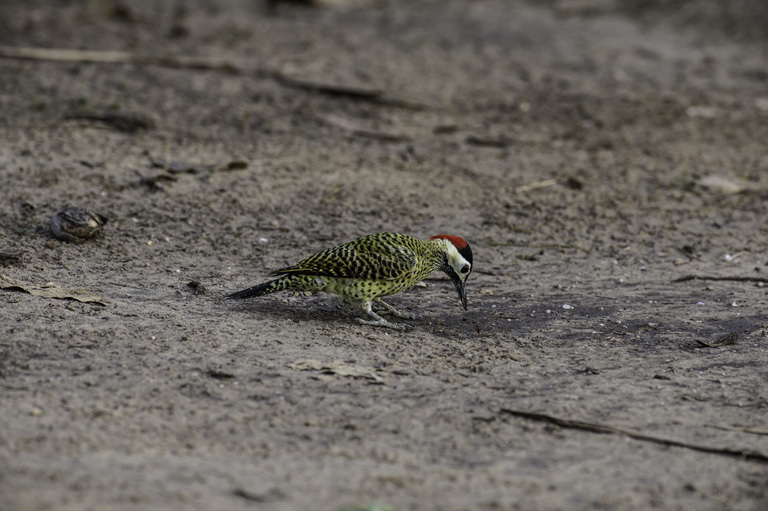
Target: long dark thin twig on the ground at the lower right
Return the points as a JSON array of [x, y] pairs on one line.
[[746, 454]]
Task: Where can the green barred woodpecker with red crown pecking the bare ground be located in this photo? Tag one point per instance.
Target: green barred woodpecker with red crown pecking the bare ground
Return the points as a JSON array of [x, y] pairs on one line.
[[364, 270]]
